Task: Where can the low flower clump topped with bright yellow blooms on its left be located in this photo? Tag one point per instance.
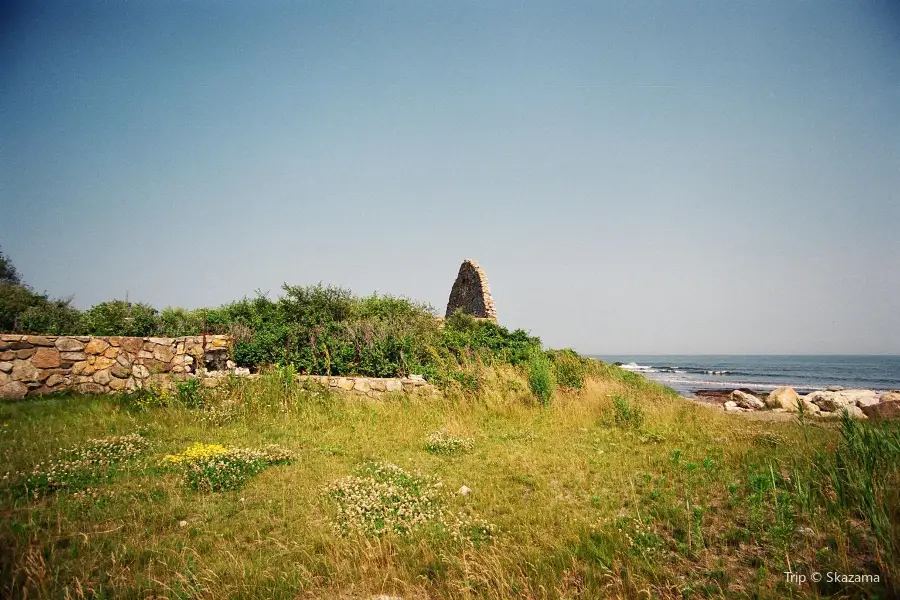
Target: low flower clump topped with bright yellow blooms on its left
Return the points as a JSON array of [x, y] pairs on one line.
[[215, 468]]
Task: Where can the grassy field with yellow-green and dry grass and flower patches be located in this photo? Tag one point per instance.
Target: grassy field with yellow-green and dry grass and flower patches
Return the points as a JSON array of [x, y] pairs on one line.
[[621, 489]]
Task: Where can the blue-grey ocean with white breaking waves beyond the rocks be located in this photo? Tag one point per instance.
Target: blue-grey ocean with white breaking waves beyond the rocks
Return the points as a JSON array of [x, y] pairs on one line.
[[688, 373]]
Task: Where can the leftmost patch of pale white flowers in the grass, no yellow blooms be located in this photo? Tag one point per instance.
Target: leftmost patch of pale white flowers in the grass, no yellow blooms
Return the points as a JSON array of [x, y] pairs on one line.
[[88, 463]]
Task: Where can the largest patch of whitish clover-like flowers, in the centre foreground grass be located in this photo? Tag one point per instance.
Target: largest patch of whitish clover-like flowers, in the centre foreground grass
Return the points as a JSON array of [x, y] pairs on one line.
[[384, 498]]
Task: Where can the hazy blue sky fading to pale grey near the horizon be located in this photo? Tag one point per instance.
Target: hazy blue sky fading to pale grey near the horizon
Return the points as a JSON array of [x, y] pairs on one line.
[[634, 176]]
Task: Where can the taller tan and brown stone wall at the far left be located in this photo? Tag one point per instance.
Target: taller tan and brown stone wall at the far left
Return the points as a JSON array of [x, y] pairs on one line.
[[32, 364]]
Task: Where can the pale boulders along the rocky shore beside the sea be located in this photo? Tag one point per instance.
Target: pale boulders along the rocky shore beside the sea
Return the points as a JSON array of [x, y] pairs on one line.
[[860, 404]]
